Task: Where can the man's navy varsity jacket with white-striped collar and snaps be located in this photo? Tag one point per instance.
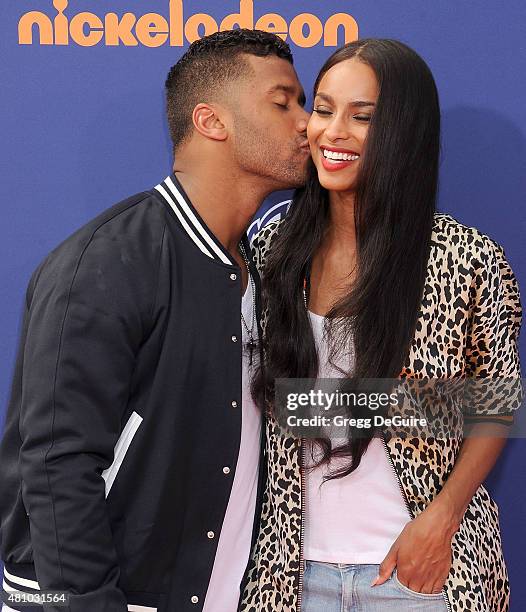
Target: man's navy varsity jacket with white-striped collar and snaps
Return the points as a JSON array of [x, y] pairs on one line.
[[125, 408]]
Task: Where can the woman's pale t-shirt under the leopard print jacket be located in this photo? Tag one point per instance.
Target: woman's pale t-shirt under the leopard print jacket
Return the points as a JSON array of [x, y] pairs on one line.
[[357, 518]]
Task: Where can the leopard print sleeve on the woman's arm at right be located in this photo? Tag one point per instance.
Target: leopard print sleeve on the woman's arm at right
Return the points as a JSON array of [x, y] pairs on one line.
[[494, 386]]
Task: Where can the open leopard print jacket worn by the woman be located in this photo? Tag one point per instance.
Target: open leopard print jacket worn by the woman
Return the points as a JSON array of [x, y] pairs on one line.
[[468, 323]]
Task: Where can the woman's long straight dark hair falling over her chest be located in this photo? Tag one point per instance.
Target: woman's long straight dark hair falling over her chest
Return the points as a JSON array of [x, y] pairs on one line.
[[394, 209]]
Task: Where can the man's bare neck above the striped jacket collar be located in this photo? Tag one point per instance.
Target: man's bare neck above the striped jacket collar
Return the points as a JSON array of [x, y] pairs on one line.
[[226, 203]]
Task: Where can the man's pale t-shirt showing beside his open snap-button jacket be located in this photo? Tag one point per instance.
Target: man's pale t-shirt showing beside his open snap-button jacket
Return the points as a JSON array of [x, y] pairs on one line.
[[233, 548]]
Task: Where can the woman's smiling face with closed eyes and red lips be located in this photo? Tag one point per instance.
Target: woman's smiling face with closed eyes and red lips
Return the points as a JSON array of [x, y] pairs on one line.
[[338, 127]]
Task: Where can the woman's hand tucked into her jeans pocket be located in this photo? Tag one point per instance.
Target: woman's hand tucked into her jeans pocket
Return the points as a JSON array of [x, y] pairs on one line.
[[422, 552]]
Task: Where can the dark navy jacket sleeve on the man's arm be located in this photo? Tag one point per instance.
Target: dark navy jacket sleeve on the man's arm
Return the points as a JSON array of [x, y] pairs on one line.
[[87, 317]]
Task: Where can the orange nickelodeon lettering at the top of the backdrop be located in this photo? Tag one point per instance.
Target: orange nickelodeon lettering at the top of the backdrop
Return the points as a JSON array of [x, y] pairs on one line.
[[154, 30]]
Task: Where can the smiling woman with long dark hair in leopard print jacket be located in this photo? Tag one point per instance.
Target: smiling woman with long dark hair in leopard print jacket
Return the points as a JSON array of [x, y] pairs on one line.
[[365, 280]]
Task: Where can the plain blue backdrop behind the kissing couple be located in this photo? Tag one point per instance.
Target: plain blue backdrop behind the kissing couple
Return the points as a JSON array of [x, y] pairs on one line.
[[83, 127]]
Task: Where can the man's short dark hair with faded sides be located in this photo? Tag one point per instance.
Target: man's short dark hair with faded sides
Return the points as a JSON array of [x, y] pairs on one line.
[[209, 64]]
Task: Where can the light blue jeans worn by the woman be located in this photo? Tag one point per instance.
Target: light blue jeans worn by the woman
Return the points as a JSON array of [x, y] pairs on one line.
[[331, 587]]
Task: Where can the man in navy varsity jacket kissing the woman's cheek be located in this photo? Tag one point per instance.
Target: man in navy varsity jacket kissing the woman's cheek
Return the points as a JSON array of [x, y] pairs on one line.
[[131, 448]]
